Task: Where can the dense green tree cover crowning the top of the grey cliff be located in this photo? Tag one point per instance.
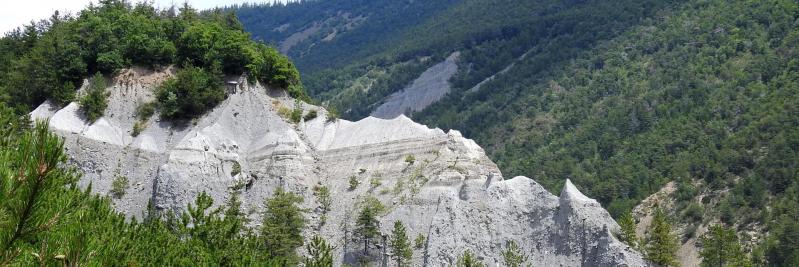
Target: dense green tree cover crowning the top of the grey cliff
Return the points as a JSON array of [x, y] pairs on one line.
[[51, 58]]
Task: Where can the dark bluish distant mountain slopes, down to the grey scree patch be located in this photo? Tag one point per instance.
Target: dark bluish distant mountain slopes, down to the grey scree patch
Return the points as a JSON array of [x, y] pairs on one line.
[[353, 56]]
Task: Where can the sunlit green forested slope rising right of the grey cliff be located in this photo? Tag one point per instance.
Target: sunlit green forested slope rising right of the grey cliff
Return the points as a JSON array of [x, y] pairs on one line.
[[704, 94]]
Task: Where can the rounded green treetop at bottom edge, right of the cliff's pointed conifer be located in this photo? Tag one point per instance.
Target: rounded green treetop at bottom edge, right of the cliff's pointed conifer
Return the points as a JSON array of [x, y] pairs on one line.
[[720, 248]]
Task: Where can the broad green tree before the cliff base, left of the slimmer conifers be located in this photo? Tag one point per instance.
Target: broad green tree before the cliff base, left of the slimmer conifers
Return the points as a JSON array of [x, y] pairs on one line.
[[282, 227]]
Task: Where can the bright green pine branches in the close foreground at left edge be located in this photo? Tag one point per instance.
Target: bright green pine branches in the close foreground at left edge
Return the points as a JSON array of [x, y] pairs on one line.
[[32, 176]]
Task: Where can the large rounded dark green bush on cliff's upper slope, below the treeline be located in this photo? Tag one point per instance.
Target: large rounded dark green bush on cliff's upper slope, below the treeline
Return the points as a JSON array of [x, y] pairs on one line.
[[190, 94]]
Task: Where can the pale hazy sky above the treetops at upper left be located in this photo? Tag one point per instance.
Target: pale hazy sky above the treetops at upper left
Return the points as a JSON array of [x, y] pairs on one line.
[[15, 13]]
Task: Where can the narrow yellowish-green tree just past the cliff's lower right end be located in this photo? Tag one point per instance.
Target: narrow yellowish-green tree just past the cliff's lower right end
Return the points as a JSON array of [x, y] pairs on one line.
[[661, 245]]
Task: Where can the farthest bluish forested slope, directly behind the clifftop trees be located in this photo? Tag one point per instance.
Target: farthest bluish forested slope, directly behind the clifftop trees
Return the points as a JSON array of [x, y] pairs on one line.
[[324, 34]]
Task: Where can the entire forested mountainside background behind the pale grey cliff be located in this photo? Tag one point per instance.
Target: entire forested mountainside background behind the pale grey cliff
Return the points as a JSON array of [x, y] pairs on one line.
[[622, 97]]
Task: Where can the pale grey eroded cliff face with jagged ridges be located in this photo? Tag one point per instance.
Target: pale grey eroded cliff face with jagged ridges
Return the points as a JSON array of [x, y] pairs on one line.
[[452, 193]]
